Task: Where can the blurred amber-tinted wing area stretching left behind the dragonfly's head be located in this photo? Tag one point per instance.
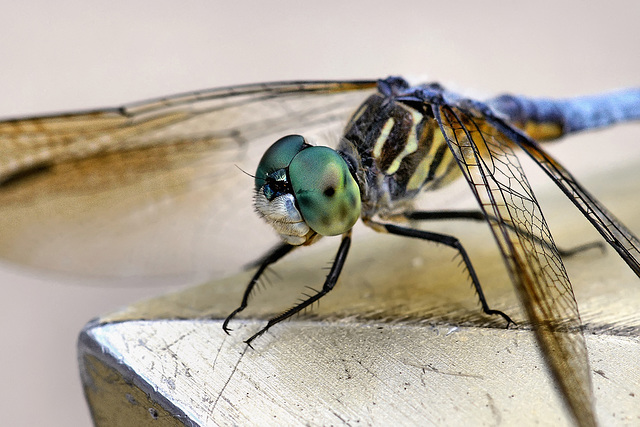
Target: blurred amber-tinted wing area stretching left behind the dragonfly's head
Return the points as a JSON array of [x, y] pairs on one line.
[[155, 188]]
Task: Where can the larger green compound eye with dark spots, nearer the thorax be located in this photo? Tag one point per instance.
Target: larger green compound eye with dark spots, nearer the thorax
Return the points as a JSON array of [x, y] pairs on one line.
[[327, 194]]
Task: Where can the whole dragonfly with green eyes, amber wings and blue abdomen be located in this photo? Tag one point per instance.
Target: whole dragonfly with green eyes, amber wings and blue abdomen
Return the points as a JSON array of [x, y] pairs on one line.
[[66, 179]]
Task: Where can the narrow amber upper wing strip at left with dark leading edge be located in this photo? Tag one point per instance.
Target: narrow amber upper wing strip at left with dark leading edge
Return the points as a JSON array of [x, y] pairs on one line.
[[36, 142]]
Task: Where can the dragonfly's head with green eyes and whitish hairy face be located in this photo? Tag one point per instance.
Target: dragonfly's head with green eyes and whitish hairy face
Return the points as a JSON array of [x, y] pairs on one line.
[[303, 190]]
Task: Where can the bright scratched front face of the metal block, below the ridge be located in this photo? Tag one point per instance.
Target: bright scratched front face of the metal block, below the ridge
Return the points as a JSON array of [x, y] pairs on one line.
[[321, 373]]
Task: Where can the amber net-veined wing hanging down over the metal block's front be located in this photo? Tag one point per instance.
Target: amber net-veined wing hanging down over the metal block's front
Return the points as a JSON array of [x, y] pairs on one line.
[[487, 161]]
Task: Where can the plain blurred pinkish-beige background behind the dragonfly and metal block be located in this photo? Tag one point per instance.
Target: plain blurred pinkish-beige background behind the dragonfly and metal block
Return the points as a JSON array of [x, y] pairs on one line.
[[73, 55]]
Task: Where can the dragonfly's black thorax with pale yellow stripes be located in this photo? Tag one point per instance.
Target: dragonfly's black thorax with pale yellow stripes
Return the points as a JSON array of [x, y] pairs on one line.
[[400, 151]]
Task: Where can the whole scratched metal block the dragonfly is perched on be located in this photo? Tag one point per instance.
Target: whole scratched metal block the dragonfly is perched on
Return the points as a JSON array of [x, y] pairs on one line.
[[401, 345]]
